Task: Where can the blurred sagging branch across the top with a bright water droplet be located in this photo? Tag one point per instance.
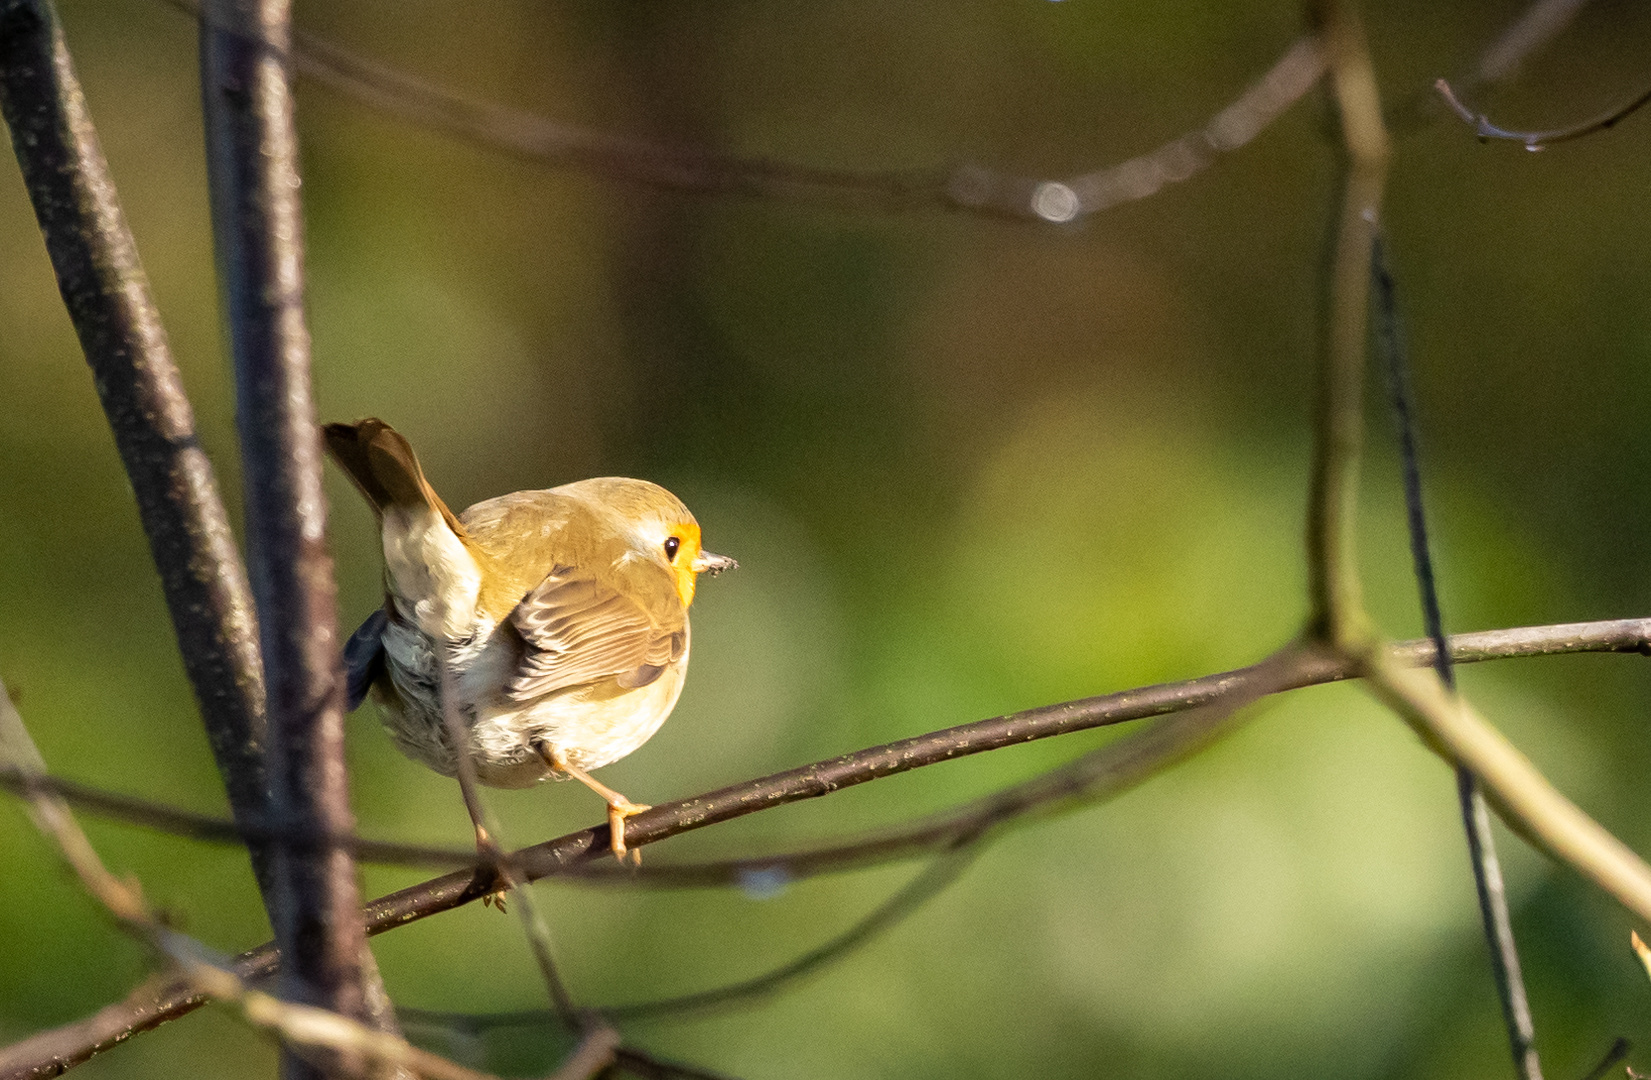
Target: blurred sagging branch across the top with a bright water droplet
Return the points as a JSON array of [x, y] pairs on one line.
[[691, 169]]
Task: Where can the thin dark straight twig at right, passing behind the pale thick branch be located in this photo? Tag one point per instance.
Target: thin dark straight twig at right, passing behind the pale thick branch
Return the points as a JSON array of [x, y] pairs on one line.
[[1477, 818]]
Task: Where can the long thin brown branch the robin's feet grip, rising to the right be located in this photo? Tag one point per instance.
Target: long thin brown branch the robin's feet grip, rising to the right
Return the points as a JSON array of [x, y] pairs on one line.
[[52, 1053]]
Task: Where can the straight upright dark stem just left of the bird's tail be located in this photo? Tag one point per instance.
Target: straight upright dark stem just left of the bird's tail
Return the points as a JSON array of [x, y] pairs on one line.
[[252, 153]]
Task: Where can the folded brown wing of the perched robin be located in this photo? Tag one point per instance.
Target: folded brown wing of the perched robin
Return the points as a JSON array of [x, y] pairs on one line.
[[579, 630]]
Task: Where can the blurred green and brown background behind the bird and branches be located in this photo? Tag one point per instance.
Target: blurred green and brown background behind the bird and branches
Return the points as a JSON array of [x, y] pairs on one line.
[[967, 465]]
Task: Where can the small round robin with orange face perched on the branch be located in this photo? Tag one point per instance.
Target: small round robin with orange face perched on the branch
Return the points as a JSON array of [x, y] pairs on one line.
[[561, 617]]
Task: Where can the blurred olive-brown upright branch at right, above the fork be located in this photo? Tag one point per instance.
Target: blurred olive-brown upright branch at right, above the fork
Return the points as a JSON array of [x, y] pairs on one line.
[[1338, 612]]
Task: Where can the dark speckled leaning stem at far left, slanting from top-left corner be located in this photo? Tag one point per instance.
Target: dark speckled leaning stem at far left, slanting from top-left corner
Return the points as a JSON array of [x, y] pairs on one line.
[[143, 396]]
